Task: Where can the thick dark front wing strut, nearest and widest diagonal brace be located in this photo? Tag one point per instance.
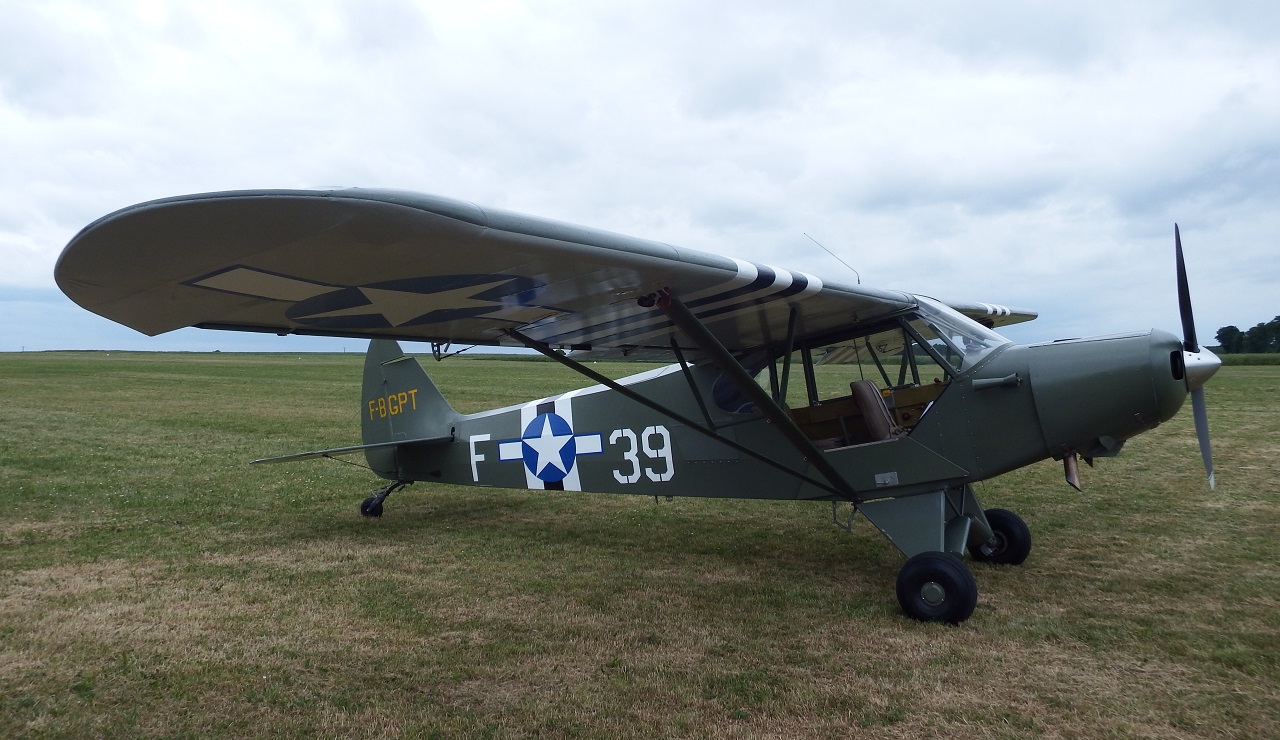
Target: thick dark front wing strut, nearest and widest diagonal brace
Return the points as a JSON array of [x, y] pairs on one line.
[[693, 328]]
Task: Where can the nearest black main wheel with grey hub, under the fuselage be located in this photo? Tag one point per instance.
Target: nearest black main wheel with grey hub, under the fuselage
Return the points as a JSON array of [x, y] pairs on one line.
[[936, 587]]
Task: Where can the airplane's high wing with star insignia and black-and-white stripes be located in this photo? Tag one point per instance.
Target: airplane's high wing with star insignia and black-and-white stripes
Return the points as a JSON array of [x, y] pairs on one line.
[[374, 263]]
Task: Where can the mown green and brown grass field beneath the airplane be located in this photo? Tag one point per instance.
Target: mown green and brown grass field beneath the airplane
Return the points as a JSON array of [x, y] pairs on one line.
[[152, 583]]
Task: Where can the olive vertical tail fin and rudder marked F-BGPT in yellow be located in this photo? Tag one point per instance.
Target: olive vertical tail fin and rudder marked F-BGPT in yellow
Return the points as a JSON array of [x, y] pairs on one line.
[[400, 403]]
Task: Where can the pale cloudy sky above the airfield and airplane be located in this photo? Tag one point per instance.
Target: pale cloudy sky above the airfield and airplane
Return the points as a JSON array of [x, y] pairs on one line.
[[1032, 154]]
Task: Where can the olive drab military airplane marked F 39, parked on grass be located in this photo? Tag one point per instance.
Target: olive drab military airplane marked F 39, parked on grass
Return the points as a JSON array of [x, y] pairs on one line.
[[780, 385]]
